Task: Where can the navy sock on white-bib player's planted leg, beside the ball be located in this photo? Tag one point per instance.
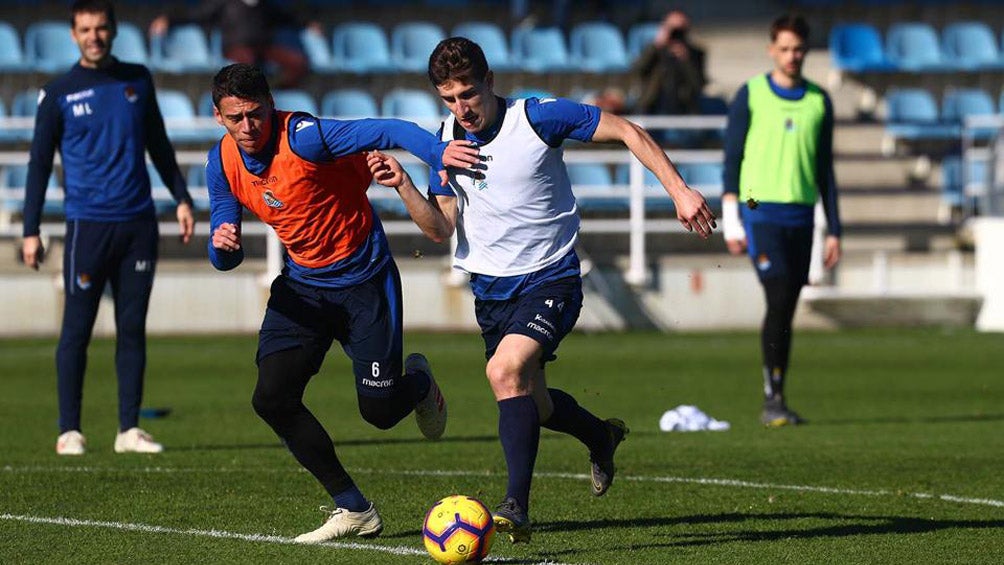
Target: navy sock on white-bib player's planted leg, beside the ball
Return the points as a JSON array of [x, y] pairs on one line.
[[520, 431]]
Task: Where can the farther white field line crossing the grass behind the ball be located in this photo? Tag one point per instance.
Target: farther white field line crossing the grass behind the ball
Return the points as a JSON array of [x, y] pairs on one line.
[[734, 483]]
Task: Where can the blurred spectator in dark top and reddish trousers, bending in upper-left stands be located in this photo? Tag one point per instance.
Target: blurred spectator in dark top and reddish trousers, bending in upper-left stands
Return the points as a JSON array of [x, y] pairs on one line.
[[252, 34]]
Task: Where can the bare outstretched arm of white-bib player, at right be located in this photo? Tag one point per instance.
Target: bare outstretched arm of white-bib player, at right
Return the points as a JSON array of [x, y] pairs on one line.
[[692, 210]]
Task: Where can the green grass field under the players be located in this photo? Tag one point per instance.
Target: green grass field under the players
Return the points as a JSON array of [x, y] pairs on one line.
[[903, 461]]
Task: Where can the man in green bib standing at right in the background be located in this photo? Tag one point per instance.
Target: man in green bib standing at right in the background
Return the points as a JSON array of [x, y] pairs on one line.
[[779, 163]]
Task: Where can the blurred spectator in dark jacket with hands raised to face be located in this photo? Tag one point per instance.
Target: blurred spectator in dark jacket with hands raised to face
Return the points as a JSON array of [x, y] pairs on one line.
[[671, 71]]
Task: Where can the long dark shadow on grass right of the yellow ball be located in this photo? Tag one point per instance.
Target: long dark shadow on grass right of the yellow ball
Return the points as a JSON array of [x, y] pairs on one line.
[[849, 525]]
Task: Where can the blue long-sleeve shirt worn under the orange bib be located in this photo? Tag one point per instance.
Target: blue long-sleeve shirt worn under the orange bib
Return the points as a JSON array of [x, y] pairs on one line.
[[321, 141]]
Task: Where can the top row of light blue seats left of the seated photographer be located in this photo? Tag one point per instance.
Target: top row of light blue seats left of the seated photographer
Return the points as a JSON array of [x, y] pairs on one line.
[[357, 48]]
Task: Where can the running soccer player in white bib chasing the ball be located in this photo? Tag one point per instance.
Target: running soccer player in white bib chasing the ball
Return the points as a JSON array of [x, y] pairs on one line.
[[518, 223]]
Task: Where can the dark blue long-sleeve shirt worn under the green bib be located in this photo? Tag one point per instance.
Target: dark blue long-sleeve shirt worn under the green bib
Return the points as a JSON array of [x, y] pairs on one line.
[[735, 144]]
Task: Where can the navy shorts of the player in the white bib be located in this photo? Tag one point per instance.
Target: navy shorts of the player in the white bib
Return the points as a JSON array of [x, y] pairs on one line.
[[547, 315]]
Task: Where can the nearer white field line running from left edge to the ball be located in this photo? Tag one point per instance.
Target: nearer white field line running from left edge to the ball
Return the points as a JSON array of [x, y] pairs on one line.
[[221, 534]]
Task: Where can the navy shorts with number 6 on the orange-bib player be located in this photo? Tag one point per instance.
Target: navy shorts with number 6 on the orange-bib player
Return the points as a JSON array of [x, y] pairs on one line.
[[366, 320]]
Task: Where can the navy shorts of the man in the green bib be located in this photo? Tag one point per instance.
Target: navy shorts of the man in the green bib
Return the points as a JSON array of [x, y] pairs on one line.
[[781, 251]]
